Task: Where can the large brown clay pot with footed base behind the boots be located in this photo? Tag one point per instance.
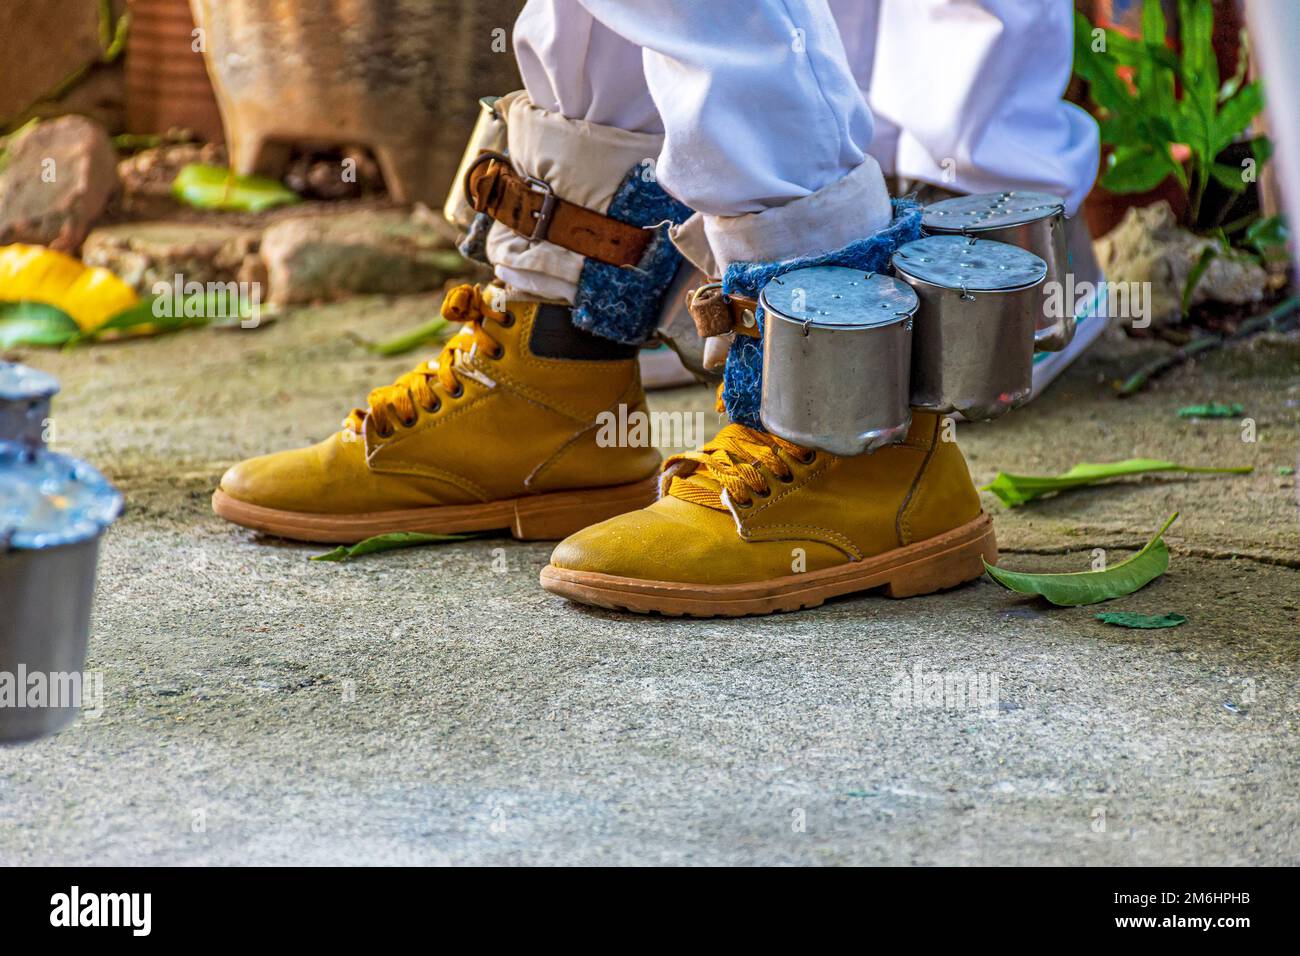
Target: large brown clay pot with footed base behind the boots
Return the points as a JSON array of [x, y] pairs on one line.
[[401, 77]]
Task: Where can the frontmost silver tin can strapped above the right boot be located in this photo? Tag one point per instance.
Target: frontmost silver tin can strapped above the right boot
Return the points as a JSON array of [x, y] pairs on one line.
[[837, 357]]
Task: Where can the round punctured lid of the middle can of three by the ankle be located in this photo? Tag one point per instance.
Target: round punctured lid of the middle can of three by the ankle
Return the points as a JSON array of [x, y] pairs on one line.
[[978, 266]]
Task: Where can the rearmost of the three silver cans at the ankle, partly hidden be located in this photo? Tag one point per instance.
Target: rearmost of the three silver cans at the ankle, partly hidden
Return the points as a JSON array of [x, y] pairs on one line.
[[1034, 222]]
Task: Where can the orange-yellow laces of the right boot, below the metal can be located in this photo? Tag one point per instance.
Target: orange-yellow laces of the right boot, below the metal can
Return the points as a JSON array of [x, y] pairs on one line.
[[733, 464]]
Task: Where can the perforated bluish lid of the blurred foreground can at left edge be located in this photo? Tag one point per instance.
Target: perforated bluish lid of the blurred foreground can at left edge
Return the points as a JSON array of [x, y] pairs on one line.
[[50, 500]]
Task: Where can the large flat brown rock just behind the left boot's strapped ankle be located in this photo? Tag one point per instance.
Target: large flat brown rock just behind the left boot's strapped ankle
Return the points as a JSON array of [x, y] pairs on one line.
[[311, 259]]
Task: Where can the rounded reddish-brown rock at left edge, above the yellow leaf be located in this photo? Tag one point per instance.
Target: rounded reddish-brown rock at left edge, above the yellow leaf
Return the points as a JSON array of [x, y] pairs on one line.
[[57, 181]]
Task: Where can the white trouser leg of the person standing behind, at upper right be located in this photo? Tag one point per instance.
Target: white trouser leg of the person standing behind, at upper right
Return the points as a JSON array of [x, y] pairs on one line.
[[974, 89]]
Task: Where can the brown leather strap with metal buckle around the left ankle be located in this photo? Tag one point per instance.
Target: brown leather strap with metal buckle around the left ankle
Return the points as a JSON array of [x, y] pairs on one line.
[[531, 209]]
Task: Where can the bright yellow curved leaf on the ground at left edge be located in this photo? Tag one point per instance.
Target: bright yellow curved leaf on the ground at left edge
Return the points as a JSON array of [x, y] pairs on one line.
[[36, 274]]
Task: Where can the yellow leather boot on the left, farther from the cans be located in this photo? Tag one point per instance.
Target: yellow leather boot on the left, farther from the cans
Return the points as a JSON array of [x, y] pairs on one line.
[[500, 432]]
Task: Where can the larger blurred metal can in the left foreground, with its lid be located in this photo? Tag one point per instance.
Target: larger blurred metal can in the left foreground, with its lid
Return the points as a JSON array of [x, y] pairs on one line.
[[54, 512]]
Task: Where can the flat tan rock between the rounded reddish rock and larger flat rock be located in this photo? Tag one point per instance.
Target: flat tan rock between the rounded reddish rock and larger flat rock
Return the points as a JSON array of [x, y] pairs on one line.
[[148, 253]]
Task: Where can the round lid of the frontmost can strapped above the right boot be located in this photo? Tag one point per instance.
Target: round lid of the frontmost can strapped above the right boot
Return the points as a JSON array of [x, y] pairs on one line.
[[833, 297]]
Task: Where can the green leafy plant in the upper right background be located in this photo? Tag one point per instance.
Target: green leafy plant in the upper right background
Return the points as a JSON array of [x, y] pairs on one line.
[[1168, 115]]
